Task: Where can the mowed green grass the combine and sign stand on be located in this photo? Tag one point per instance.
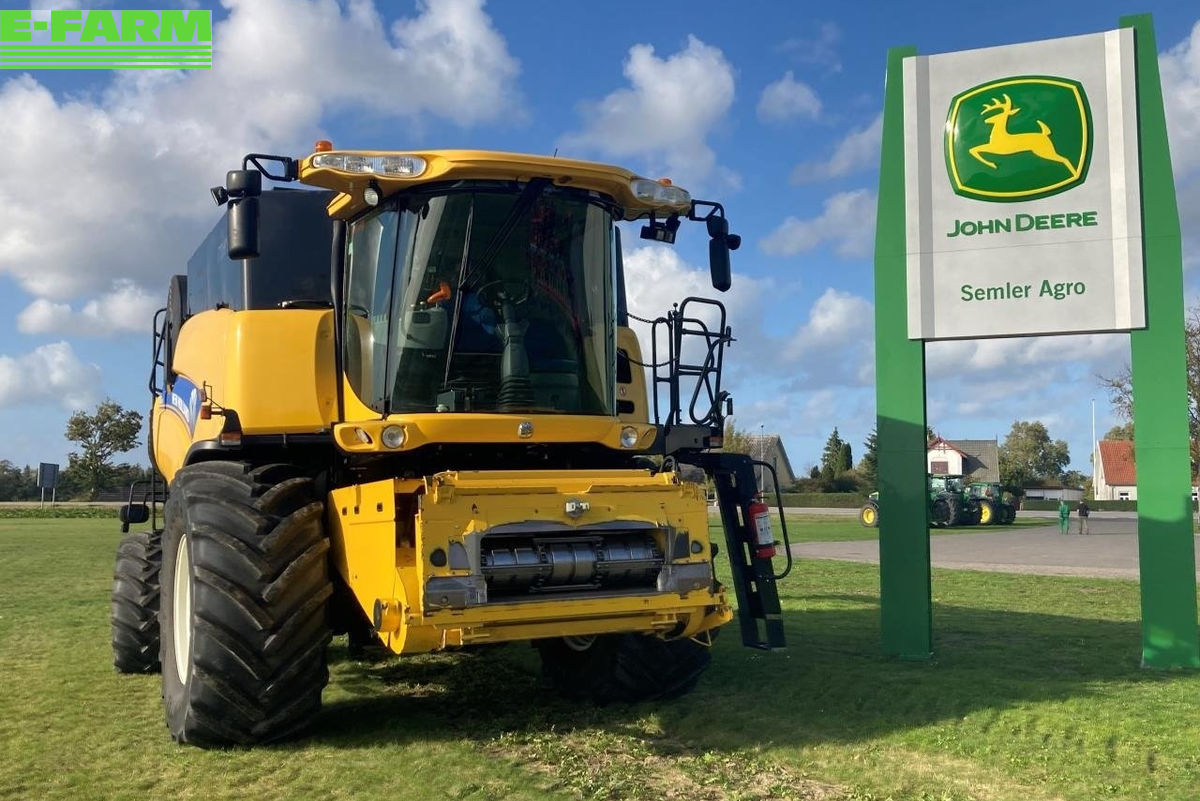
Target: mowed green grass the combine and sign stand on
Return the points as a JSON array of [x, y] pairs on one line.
[[1036, 694]]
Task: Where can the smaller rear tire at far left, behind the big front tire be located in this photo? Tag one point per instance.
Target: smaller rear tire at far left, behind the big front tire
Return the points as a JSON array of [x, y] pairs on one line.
[[136, 603]]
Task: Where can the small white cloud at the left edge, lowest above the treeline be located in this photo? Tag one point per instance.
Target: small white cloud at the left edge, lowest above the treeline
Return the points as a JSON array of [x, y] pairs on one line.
[[50, 375]]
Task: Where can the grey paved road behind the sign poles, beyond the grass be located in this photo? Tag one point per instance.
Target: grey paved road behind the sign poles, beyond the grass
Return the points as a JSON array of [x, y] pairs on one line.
[[1111, 551]]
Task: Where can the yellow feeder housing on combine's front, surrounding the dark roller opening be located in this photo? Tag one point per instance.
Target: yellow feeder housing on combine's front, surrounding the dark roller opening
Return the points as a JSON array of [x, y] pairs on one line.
[[385, 535]]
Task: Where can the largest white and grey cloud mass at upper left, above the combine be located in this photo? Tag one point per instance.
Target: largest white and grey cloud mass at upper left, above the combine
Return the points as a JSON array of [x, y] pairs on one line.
[[112, 186]]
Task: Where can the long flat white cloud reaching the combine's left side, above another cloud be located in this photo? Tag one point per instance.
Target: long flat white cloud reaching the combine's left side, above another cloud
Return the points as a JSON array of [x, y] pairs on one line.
[[125, 309]]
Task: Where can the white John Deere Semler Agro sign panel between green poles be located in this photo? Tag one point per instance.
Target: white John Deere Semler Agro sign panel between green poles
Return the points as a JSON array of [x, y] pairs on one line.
[[1022, 190]]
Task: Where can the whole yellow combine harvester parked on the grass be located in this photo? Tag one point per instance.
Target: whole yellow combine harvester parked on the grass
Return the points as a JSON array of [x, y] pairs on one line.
[[440, 437]]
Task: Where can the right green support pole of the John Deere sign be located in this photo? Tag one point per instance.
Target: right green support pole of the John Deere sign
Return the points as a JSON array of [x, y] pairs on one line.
[[1167, 551]]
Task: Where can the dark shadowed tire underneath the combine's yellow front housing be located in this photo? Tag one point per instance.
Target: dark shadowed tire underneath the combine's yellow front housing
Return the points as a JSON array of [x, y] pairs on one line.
[[629, 668]]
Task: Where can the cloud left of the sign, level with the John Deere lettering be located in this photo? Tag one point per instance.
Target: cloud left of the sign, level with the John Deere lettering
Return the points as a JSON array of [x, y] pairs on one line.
[[848, 221]]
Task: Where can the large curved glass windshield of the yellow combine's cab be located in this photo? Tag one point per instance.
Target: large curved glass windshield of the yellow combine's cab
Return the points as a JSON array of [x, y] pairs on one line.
[[483, 297]]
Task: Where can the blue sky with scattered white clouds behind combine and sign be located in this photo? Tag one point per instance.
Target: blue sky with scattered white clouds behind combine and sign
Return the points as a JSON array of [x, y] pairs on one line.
[[771, 109]]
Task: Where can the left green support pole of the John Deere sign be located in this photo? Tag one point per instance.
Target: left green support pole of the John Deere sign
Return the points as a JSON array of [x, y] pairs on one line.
[[905, 607]]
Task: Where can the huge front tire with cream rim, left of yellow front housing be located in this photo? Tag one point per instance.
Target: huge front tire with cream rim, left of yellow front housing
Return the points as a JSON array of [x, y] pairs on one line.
[[244, 613]]
